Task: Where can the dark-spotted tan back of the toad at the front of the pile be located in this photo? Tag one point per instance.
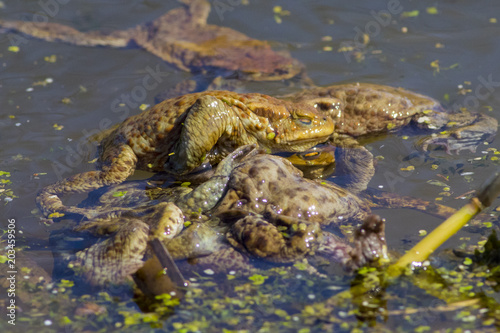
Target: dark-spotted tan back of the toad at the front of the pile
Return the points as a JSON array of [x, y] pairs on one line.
[[270, 183]]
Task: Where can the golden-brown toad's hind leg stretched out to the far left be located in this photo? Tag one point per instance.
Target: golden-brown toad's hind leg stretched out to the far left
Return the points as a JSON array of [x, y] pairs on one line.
[[119, 163]]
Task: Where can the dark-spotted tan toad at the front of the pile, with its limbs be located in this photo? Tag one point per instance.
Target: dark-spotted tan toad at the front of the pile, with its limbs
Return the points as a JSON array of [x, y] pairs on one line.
[[276, 214]]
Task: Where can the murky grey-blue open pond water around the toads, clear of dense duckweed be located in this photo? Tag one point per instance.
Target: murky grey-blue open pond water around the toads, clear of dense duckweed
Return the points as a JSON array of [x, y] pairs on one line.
[[462, 37]]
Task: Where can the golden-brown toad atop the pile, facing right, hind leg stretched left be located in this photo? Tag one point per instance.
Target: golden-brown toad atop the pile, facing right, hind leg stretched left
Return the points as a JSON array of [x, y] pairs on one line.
[[180, 134]]
